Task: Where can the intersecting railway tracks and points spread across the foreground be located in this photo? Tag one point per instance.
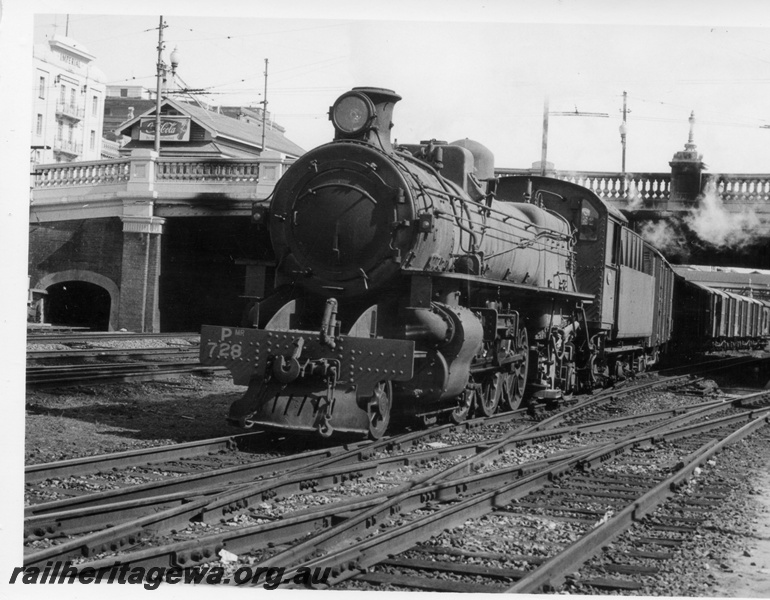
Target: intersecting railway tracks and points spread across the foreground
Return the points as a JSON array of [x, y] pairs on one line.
[[254, 523]]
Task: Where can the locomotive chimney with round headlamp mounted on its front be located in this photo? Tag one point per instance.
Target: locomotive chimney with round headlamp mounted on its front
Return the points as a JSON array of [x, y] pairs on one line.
[[365, 114]]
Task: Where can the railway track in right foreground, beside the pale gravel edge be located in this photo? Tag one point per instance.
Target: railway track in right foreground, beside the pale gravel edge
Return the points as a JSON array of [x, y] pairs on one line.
[[582, 503]]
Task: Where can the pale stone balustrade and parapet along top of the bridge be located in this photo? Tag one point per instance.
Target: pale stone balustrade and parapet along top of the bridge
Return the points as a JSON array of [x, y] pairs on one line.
[[110, 187]]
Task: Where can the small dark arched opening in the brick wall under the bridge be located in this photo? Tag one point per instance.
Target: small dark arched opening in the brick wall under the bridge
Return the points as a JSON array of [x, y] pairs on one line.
[[78, 304]]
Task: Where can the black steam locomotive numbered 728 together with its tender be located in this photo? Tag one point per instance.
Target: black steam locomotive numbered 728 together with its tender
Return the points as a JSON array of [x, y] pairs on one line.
[[411, 283]]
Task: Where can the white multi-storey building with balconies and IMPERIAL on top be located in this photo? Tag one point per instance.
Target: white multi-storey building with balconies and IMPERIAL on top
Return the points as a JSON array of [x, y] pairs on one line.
[[67, 103]]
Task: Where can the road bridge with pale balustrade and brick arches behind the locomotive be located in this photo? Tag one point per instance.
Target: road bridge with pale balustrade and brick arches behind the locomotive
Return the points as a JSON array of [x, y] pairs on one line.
[[103, 232]]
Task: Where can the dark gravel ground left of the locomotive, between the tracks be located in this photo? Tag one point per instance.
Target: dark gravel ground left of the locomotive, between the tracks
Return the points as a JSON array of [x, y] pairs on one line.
[[89, 420]]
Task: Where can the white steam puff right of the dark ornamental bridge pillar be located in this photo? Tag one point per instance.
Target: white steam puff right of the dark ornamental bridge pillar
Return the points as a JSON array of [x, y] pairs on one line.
[[722, 228]]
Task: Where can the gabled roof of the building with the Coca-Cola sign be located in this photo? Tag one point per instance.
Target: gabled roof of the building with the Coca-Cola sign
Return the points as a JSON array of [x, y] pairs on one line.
[[224, 128]]
